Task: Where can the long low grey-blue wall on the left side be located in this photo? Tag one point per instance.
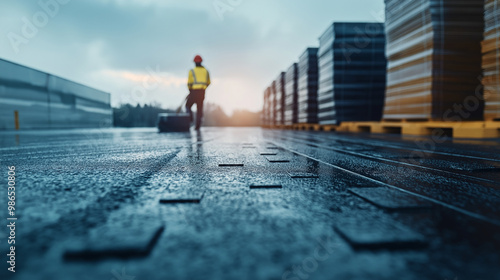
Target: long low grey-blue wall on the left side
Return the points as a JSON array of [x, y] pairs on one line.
[[46, 101]]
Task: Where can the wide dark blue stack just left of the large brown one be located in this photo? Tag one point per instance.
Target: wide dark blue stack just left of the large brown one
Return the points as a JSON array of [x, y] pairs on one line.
[[352, 73]]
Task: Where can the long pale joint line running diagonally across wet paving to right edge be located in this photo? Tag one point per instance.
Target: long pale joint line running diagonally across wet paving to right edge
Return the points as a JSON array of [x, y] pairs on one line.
[[465, 212]]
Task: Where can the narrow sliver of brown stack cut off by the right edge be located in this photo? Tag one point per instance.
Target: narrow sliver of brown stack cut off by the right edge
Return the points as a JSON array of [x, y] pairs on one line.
[[491, 60]]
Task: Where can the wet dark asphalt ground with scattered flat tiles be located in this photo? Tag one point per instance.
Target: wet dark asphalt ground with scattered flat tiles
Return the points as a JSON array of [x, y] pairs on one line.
[[250, 203]]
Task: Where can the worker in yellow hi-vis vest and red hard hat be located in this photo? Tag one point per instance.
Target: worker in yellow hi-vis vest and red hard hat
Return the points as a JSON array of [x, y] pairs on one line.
[[198, 81]]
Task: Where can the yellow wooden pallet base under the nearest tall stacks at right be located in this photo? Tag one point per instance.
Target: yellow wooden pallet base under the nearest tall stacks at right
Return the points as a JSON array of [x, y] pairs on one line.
[[476, 129]]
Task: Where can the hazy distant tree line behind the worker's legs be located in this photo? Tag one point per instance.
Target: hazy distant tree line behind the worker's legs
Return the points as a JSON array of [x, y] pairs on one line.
[[128, 115]]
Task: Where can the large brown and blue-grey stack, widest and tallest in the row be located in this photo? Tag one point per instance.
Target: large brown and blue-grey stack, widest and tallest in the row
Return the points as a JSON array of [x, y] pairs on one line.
[[434, 53]]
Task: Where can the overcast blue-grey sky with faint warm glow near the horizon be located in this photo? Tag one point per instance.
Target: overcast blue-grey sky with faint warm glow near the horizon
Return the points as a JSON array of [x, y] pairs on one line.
[[141, 50]]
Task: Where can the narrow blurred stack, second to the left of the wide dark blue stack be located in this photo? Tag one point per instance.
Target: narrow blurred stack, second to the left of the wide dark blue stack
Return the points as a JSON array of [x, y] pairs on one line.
[[291, 97]]
